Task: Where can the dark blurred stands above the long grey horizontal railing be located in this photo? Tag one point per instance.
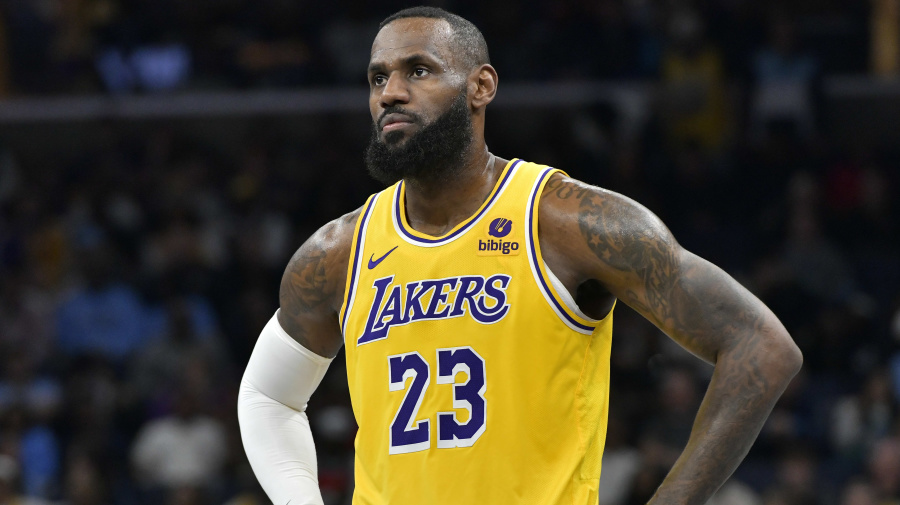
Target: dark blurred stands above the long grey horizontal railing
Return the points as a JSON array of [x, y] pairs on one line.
[[146, 46]]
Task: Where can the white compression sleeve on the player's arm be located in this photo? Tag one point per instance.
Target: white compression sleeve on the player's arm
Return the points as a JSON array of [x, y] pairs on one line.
[[280, 378]]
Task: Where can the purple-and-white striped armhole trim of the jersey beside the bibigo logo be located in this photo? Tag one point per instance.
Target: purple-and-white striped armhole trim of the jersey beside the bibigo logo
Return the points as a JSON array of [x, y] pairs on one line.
[[562, 304]]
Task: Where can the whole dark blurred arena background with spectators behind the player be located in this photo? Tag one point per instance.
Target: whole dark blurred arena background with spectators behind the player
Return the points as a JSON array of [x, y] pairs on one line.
[[160, 160]]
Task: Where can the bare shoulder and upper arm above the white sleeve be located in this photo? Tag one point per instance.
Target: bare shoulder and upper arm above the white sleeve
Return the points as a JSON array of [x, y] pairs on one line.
[[312, 287]]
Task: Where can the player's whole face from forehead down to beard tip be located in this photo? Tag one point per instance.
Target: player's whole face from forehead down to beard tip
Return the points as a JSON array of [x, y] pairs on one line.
[[421, 121]]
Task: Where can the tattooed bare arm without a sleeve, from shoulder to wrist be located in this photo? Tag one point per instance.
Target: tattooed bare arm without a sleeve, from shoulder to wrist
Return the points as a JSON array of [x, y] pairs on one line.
[[634, 256]]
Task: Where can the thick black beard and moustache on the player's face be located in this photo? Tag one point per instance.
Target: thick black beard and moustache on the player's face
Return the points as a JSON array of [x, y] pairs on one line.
[[432, 156]]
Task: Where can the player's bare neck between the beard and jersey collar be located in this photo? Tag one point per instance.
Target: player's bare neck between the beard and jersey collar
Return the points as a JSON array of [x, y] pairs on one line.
[[435, 209]]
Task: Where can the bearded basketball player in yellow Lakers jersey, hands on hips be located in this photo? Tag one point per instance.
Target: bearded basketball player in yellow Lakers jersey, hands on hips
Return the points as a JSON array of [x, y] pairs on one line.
[[474, 300]]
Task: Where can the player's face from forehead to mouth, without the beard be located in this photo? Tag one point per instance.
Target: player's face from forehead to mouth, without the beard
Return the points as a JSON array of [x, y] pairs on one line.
[[412, 77]]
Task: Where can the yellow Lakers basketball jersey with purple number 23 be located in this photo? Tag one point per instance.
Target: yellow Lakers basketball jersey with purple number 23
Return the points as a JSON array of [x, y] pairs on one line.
[[473, 376]]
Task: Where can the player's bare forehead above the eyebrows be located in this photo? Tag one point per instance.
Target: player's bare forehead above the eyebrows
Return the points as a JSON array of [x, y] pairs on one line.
[[409, 35]]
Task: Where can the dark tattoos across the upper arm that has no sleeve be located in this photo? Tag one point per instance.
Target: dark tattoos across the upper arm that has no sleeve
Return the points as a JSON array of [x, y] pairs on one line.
[[698, 304]]
